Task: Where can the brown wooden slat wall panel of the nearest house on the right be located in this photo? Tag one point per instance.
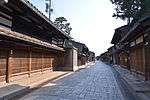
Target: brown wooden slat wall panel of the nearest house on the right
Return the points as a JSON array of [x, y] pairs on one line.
[[137, 59]]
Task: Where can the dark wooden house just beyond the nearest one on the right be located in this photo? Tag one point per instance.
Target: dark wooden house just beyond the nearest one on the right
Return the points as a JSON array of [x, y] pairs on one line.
[[120, 50]]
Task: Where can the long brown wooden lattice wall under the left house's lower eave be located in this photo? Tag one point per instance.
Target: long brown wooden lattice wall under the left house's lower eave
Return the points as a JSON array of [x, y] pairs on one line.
[[22, 60]]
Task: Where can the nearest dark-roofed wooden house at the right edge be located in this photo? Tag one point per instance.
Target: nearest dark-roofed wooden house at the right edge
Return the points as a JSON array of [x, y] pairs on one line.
[[139, 39]]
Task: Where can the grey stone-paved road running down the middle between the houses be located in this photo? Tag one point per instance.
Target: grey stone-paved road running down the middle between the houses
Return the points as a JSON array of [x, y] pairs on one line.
[[94, 83]]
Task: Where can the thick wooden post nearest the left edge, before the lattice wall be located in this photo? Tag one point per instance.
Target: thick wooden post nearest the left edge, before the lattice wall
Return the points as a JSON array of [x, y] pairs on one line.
[[9, 65]]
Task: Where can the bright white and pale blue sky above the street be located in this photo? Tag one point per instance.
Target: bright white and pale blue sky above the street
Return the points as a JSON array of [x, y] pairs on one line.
[[91, 20]]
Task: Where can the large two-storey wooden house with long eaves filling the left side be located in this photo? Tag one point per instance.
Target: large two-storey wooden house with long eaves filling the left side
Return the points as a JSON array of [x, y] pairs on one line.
[[29, 41]]
